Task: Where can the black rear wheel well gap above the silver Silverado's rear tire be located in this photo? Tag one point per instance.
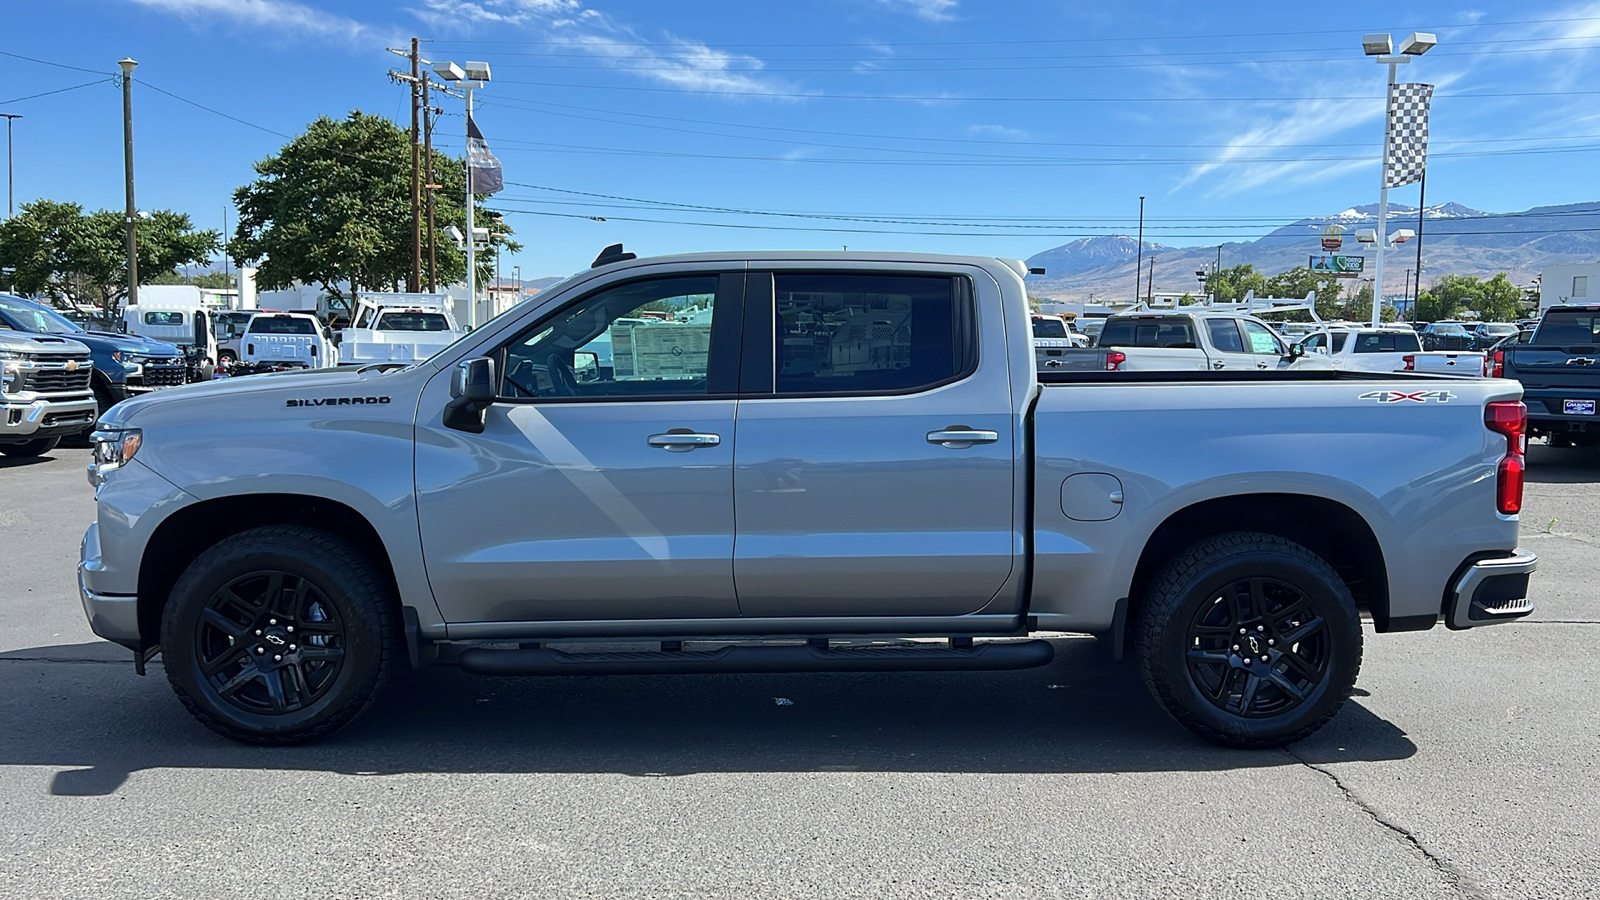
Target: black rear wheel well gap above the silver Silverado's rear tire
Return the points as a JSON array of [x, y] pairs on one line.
[[1327, 528]]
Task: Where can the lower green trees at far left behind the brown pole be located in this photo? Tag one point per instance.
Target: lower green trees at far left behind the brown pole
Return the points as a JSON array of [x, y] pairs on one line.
[[62, 252]]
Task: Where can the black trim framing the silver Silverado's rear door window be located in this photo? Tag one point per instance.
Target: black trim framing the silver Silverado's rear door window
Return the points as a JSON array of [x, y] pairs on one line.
[[964, 319]]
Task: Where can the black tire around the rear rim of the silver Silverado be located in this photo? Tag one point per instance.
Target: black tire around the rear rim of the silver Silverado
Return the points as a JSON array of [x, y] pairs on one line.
[[1330, 600]]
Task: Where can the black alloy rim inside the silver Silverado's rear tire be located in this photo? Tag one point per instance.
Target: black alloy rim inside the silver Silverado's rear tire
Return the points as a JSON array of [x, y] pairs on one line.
[[1258, 649]]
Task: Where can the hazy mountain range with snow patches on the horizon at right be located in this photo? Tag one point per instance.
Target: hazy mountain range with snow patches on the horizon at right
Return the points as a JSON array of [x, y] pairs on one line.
[[1457, 239]]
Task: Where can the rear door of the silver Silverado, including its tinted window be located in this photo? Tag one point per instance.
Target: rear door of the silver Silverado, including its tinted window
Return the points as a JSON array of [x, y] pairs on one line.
[[876, 465]]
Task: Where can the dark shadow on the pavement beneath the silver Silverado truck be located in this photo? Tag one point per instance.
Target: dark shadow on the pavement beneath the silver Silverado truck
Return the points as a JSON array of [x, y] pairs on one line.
[[100, 725]]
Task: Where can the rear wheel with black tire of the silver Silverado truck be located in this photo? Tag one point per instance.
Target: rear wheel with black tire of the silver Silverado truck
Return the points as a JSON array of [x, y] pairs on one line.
[[1250, 640]]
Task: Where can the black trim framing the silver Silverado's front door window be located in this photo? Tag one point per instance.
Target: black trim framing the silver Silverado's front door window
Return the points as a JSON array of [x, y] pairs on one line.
[[726, 332]]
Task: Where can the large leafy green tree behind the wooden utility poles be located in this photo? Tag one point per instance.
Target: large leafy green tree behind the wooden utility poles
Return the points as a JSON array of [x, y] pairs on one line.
[[334, 209]]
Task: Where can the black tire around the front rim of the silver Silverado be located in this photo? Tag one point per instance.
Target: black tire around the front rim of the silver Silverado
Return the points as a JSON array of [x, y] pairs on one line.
[[217, 568]]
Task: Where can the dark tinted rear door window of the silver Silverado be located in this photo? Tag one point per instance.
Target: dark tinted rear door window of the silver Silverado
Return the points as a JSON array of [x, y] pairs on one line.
[[850, 334]]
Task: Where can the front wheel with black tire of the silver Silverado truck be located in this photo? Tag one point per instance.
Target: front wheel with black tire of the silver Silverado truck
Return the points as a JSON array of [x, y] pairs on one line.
[[279, 635]]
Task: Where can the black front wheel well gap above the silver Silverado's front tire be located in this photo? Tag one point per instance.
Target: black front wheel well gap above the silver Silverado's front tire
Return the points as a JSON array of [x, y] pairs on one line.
[[198, 528]]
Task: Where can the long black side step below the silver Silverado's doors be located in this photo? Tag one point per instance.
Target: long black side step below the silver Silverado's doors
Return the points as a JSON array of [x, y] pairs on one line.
[[751, 661]]
